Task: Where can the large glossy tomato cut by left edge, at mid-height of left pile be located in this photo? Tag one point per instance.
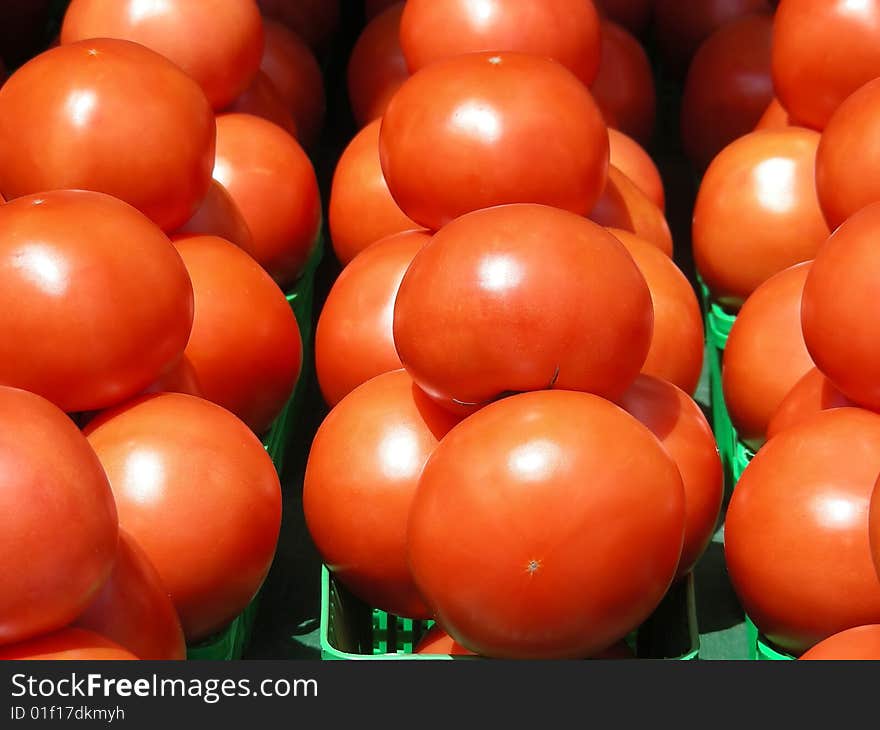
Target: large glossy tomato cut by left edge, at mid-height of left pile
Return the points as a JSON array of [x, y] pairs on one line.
[[95, 303]]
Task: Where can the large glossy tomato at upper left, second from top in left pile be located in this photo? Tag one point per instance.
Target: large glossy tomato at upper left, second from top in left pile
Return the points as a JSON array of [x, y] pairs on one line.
[[121, 119]]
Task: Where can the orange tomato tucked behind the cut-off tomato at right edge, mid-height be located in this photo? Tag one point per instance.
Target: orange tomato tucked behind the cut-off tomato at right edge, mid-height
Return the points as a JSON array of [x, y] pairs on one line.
[[765, 354]]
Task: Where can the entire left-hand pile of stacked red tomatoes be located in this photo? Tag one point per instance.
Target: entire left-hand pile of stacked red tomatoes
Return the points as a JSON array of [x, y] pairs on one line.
[[153, 216]]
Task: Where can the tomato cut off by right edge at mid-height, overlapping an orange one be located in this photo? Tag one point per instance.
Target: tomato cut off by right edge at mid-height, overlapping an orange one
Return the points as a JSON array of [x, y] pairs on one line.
[[838, 300]]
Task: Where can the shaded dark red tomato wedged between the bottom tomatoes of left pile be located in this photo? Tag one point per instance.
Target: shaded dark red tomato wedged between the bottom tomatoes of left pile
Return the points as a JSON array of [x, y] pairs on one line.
[[134, 609]]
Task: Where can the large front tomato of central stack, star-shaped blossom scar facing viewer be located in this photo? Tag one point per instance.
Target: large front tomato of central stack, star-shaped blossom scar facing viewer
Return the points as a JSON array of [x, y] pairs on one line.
[[542, 529]]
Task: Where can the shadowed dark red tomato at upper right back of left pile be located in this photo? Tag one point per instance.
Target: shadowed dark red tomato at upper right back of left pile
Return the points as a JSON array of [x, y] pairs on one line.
[[294, 71]]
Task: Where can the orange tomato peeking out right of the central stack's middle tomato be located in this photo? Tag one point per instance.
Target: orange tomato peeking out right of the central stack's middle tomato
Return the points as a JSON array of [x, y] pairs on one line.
[[676, 352]]
